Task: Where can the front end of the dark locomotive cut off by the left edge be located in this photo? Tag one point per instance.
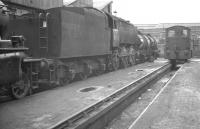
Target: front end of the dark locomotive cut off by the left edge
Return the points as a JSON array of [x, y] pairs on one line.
[[12, 52]]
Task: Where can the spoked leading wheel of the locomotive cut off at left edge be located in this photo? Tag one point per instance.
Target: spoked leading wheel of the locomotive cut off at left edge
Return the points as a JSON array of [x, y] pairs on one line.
[[21, 88]]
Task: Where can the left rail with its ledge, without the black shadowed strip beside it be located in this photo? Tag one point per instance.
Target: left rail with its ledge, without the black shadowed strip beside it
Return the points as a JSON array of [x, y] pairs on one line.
[[82, 118]]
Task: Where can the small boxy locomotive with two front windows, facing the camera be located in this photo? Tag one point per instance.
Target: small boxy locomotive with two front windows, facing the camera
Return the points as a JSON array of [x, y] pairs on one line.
[[178, 44]]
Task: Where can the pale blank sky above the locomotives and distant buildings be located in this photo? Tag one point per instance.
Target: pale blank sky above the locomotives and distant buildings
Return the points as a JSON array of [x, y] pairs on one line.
[[158, 11]]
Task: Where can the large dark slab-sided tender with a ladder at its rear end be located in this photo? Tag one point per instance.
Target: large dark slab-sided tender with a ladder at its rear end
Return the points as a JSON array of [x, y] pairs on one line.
[[65, 44]]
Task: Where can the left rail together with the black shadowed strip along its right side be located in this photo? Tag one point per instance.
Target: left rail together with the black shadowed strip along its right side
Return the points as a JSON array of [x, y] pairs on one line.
[[98, 115]]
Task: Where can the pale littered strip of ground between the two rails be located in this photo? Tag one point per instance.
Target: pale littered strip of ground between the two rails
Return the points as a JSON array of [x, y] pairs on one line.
[[126, 118]]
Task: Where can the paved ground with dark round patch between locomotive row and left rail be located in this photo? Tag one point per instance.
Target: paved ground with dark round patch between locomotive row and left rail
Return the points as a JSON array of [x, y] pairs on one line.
[[45, 109]]
